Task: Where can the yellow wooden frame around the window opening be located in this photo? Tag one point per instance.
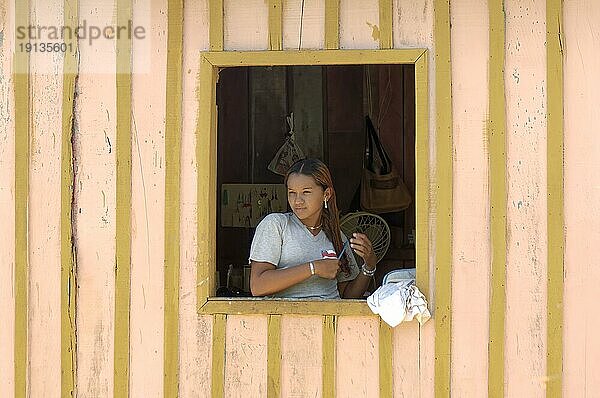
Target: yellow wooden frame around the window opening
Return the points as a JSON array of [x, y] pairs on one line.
[[206, 154]]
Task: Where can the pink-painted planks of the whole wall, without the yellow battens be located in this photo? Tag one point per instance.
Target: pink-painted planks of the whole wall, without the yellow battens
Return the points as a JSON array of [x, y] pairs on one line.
[[245, 25]]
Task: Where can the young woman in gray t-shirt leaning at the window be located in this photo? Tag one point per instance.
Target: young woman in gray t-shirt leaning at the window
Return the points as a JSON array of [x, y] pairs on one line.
[[296, 254]]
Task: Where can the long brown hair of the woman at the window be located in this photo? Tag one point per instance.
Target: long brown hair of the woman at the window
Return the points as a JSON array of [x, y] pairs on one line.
[[329, 217]]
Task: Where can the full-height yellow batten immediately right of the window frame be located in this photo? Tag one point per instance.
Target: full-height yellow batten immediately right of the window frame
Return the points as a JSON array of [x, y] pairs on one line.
[[443, 242]]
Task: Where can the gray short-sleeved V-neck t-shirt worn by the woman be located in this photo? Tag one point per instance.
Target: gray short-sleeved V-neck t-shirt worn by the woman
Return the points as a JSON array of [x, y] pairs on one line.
[[282, 240]]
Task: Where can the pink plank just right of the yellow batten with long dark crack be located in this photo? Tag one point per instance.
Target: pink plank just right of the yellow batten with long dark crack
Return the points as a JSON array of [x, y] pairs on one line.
[[94, 142]]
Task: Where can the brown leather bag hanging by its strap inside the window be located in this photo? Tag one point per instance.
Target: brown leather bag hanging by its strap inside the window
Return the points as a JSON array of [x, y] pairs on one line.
[[382, 190]]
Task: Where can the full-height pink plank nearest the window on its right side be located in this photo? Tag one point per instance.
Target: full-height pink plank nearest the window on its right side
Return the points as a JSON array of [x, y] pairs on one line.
[[470, 231]]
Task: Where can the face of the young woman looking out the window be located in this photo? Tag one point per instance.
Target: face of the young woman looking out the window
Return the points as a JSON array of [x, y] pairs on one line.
[[306, 198]]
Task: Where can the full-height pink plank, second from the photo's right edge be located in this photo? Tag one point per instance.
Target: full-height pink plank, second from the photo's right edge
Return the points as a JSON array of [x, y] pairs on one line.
[[526, 242]]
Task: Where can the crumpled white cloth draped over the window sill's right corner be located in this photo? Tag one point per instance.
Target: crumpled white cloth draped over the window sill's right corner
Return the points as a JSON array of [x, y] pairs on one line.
[[400, 301]]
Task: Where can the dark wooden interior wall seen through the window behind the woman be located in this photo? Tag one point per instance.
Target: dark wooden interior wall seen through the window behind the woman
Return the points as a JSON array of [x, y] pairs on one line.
[[252, 105]]
